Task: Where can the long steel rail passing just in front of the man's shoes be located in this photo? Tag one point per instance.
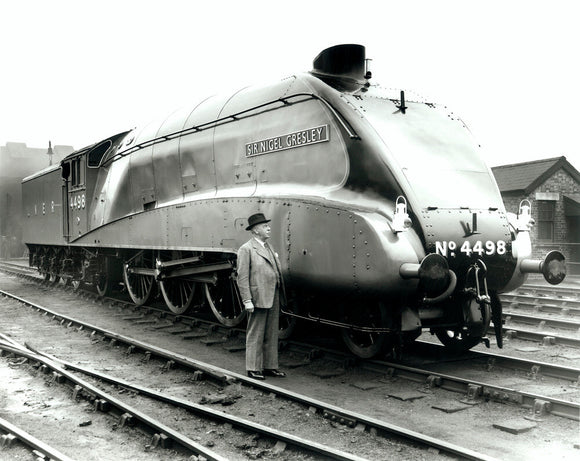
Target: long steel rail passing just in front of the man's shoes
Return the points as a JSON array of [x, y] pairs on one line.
[[382, 427]]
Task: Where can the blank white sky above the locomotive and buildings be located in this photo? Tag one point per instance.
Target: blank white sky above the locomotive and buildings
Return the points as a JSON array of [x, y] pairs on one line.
[[75, 72]]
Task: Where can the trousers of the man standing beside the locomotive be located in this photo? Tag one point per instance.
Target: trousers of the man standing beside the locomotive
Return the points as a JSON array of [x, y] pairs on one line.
[[262, 337]]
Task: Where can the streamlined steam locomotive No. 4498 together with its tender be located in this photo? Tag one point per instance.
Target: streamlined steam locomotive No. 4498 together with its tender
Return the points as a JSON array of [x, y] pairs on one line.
[[385, 216]]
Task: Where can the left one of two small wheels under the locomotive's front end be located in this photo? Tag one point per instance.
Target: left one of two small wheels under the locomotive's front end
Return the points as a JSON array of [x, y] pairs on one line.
[[364, 344]]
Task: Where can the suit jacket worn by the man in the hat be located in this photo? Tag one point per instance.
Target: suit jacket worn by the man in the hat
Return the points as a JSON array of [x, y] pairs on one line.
[[258, 274]]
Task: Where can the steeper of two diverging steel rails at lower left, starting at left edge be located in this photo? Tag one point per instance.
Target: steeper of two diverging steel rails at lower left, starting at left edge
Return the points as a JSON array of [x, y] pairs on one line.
[[105, 400]]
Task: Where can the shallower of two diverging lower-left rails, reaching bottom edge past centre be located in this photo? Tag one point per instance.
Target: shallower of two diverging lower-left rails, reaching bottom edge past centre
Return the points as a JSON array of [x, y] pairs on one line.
[[214, 414]]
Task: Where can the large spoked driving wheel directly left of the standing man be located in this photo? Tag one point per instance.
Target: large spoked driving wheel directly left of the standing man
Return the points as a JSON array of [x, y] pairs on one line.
[[224, 300]]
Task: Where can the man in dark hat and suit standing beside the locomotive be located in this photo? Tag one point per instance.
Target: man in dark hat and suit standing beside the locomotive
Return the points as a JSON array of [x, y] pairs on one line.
[[261, 285]]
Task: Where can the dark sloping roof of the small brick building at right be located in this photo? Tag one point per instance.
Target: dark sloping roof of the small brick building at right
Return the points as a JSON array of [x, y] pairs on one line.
[[527, 176]]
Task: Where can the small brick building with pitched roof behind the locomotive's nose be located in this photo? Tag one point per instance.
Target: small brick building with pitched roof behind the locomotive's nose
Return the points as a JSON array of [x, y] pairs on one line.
[[552, 187]]
